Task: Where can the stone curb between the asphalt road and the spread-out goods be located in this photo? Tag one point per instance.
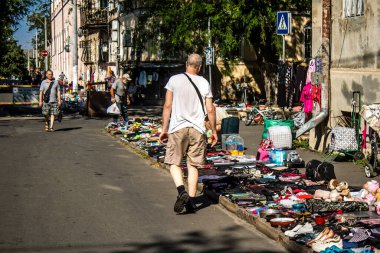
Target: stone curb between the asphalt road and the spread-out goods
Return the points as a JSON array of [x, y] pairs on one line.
[[260, 224]]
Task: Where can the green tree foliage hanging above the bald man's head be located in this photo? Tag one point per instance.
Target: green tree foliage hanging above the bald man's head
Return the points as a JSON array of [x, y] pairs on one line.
[[182, 25]]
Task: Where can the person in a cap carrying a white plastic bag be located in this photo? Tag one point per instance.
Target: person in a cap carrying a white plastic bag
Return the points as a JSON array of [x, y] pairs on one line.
[[119, 95]]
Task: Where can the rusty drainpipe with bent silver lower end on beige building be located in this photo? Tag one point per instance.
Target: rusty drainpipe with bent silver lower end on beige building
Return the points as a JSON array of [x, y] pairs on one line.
[[325, 89]]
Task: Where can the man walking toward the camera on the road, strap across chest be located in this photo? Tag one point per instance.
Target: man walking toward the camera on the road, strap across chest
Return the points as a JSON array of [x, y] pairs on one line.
[[49, 100]]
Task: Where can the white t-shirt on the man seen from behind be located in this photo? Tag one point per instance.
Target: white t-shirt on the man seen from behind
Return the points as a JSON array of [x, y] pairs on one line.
[[186, 107]]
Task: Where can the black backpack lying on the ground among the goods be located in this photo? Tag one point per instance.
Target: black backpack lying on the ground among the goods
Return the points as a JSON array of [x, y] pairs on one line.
[[318, 171]]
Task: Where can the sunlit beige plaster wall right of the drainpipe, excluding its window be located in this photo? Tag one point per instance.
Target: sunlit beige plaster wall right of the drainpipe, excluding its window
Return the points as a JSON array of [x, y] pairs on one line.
[[355, 56]]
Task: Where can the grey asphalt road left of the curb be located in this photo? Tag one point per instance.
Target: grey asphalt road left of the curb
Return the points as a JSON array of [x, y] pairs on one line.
[[77, 190]]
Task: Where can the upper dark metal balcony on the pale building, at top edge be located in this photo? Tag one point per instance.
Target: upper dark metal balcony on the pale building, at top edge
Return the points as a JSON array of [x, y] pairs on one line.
[[93, 17]]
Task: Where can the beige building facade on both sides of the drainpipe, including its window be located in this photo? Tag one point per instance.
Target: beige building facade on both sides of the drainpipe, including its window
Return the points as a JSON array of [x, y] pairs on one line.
[[354, 55]]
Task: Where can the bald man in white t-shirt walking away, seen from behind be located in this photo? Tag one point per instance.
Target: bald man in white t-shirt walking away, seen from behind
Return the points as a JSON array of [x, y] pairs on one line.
[[186, 132]]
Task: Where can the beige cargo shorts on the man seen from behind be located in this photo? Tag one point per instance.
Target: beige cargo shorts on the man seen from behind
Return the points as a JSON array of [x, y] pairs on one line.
[[186, 141]]
